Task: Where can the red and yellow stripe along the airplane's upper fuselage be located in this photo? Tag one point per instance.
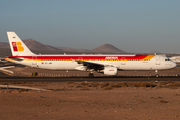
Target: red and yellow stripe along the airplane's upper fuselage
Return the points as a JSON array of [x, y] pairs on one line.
[[84, 58]]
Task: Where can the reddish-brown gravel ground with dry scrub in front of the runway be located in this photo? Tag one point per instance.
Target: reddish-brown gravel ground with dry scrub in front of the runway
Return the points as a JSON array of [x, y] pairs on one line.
[[92, 101]]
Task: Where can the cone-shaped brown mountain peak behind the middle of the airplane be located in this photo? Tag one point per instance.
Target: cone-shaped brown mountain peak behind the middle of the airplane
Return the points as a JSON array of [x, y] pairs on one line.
[[106, 48]]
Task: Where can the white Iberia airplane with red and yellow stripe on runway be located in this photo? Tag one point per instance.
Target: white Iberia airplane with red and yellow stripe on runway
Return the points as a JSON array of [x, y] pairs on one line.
[[106, 64]]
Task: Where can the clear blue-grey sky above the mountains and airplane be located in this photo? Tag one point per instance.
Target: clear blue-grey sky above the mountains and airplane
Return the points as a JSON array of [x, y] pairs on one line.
[[130, 25]]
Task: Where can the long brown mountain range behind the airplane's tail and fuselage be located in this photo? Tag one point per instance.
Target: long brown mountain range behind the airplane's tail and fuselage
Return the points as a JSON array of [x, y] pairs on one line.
[[38, 47]]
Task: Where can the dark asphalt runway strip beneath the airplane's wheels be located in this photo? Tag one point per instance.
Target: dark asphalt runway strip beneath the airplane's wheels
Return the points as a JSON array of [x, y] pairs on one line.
[[81, 79]]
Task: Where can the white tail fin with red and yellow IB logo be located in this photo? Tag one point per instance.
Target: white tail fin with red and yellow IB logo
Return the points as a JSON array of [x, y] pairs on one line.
[[17, 46]]
